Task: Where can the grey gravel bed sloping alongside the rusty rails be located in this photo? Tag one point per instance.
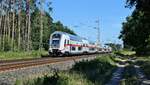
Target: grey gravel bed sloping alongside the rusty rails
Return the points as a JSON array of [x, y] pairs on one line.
[[9, 77]]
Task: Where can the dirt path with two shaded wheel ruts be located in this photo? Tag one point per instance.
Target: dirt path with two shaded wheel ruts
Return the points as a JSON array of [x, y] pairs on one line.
[[118, 74]]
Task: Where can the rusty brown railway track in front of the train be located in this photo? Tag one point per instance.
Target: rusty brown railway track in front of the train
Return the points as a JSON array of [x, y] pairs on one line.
[[23, 63]]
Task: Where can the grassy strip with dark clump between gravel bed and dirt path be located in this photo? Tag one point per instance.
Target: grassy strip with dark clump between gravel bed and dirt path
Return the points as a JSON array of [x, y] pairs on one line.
[[95, 72]]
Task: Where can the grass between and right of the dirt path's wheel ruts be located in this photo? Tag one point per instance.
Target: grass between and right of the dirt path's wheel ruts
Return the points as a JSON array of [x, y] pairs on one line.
[[130, 77]]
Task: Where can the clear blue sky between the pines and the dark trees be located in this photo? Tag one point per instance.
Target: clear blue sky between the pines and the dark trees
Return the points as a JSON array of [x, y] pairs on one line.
[[84, 13]]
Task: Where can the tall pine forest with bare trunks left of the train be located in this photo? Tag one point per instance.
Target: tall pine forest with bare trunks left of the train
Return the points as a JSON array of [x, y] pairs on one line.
[[26, 25]]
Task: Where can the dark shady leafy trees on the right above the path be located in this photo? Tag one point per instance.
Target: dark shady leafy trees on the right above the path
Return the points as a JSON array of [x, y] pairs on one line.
[[136, 29]]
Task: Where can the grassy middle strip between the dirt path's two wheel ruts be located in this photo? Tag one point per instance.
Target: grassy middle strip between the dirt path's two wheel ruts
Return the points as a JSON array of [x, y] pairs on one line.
[[129, 75]]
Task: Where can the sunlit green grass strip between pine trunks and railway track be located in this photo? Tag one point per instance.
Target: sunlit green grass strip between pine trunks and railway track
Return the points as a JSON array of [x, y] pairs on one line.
[[21, 55]]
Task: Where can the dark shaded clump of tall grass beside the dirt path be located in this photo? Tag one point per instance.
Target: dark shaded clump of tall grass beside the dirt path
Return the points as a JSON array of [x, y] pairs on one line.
[[98, 71]]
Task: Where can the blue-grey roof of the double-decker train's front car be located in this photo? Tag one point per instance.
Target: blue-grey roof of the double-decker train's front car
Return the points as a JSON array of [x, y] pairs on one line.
[[72, 37]]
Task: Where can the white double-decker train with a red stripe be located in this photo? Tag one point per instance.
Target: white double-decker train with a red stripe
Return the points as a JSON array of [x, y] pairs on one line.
[[62, 43]]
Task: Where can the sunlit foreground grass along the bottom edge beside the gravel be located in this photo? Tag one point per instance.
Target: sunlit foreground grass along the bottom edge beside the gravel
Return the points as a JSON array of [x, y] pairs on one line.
[[63, 78]]
